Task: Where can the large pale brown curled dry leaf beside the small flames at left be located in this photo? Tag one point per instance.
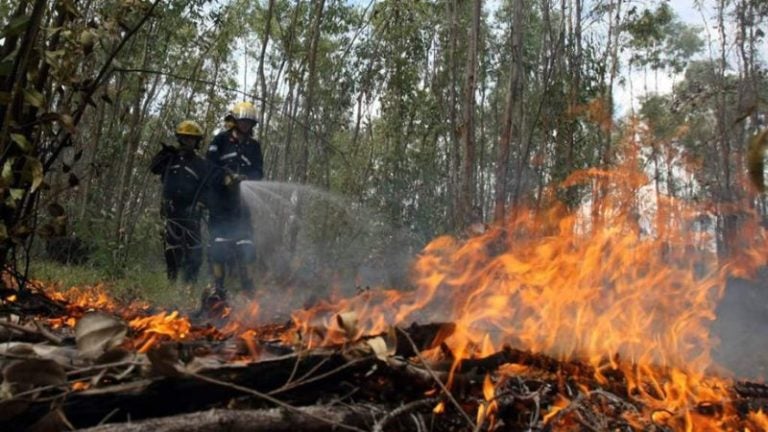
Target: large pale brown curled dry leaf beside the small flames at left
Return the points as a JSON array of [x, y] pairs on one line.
[[97, 332]]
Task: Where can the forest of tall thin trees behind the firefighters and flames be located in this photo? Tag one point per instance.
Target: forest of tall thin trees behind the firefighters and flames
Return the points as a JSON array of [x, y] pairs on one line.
[[433, 114]]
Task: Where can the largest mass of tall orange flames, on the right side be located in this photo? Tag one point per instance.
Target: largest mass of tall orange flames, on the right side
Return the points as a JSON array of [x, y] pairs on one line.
[[627, 281]]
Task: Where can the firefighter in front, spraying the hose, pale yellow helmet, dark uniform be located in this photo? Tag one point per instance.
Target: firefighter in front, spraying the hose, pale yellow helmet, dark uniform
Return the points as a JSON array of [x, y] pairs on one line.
[[239, 155]]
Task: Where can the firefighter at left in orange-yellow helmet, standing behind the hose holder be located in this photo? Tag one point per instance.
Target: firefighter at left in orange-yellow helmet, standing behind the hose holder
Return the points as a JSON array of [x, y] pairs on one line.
[[183, 174]]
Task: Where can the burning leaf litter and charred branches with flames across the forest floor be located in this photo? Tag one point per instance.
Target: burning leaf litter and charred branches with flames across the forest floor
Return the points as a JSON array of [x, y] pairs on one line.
[[596, 318]]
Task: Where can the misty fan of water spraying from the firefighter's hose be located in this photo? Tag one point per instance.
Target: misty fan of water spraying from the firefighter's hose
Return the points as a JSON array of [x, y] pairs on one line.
[[312, 245]]
